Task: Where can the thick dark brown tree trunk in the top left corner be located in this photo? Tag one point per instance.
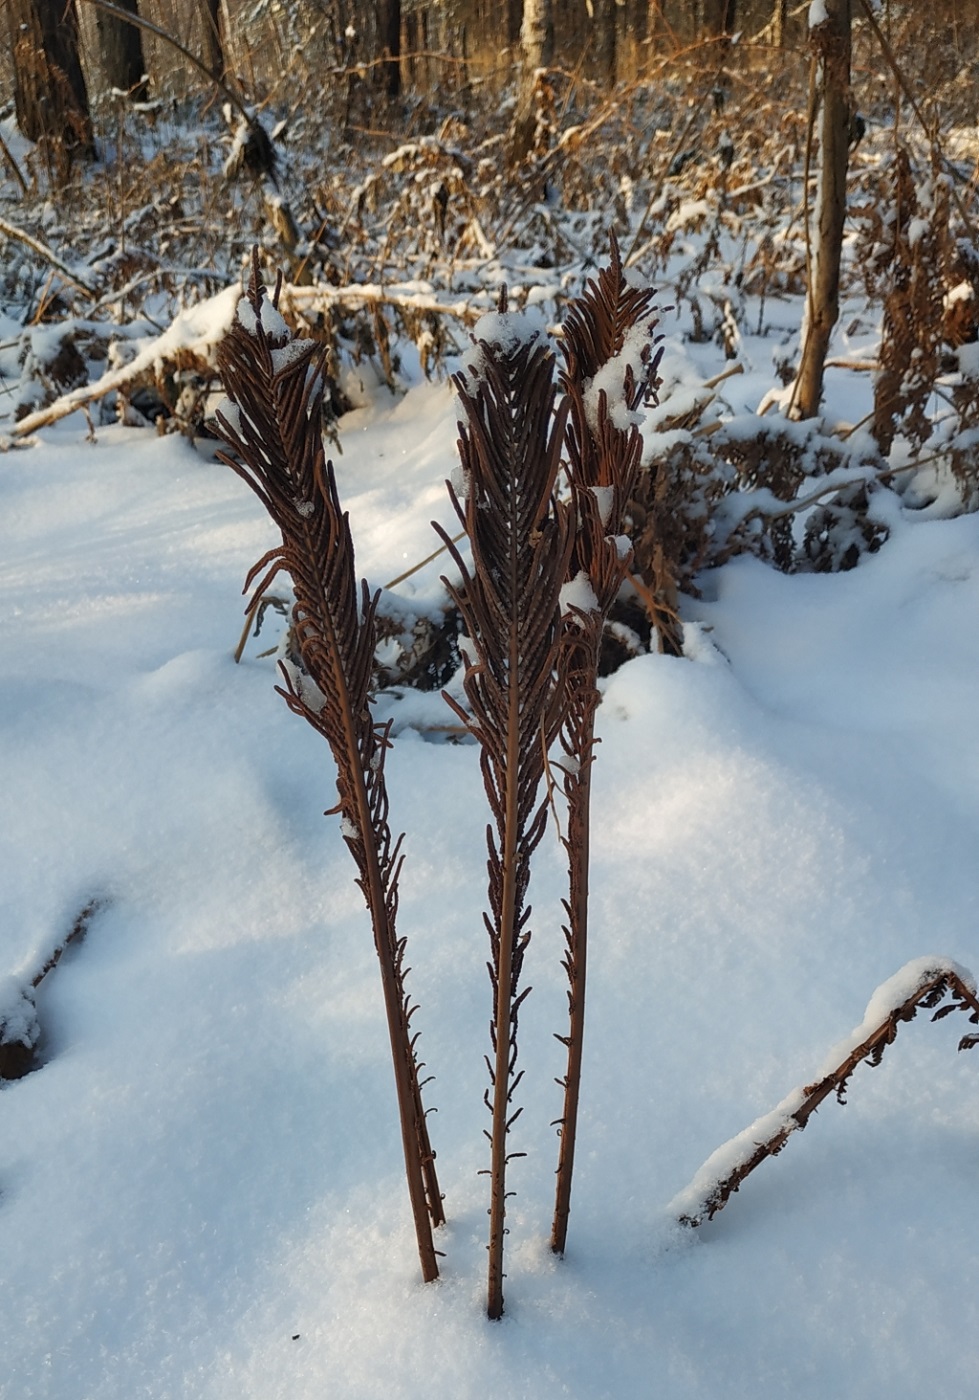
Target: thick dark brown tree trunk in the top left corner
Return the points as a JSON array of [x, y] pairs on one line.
[[50, 89]]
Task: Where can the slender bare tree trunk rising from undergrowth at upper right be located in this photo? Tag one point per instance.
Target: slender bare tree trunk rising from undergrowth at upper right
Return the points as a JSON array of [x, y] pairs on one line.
[[831, 52]]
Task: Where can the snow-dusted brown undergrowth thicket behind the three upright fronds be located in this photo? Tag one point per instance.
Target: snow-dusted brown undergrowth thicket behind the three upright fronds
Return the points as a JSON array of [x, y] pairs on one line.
[[396, 227]]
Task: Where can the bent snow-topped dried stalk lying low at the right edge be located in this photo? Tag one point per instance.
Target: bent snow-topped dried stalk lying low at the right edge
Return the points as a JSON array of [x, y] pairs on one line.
[[922, 985]]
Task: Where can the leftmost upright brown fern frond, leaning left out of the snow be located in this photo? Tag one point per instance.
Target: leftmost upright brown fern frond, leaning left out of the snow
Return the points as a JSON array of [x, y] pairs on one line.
[[272, 425]]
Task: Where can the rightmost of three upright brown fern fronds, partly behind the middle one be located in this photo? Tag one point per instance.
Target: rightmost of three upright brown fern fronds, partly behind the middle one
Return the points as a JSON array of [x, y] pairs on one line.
[[610, 372]]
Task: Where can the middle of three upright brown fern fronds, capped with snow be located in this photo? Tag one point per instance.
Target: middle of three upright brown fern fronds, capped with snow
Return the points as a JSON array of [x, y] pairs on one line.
[[509, 598]]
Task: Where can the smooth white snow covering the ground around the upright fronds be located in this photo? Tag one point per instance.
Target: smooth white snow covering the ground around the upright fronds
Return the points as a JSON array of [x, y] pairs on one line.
[[201, 1191]]
